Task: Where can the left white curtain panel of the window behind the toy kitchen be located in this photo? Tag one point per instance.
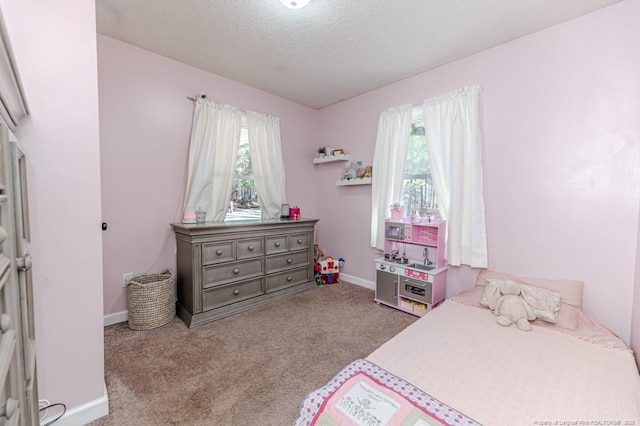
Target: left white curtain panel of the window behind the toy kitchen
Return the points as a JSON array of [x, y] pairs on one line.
[[389, 158]]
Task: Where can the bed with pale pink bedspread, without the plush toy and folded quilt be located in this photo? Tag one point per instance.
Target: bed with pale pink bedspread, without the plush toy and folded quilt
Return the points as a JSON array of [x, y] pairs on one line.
[[572, 372]]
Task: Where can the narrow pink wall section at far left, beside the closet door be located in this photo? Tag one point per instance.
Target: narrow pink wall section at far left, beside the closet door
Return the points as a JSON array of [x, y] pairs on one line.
[[55, 52]]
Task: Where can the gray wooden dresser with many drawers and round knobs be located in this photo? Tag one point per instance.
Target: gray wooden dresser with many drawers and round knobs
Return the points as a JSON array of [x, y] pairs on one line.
[[228, 267]]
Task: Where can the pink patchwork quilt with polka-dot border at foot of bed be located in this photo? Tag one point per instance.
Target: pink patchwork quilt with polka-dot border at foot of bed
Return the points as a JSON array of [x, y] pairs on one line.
[[364, 394]]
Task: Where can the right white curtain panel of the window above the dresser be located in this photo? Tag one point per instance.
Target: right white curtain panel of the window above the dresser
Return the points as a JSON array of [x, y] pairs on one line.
[[267, 162]]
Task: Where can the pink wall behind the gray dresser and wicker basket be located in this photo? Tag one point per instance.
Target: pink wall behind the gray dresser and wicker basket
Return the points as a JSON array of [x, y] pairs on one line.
[[145, 122]]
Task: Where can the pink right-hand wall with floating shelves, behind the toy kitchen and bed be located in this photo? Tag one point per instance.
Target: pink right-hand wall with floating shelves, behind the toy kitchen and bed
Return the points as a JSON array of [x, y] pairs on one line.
[[560, 115]]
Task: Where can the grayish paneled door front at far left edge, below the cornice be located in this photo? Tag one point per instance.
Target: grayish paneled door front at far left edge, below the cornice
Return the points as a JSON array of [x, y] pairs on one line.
[[18, 390]]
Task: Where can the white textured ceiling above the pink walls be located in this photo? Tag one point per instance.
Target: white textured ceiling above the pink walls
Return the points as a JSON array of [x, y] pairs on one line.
[[331, 50]]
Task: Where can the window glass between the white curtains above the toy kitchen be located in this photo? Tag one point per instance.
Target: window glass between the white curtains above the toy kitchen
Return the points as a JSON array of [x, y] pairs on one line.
[[417, 187]]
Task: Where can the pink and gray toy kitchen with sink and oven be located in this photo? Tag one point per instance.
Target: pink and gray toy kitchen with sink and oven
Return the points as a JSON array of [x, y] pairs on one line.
[[411, 276]]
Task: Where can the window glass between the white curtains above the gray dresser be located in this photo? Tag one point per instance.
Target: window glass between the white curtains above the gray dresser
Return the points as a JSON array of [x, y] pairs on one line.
[[244, 202]]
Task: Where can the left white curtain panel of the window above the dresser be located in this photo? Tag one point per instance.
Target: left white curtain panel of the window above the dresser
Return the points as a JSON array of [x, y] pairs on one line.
[[215, 136]]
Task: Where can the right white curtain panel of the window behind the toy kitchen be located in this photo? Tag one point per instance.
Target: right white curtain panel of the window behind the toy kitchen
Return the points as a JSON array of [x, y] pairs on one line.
[[452, 127]]
